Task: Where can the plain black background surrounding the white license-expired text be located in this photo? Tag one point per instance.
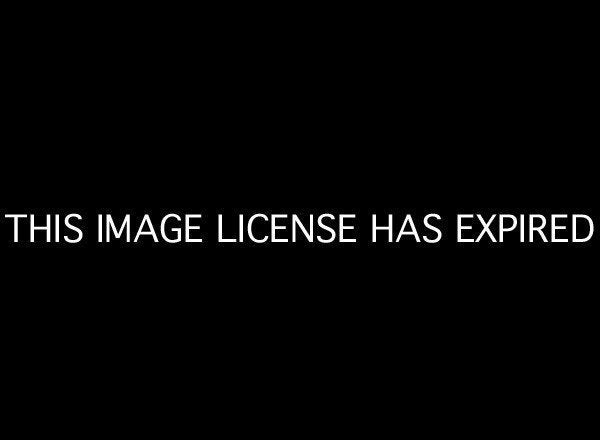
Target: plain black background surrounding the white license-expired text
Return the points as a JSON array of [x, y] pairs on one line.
[[368, 113]]
